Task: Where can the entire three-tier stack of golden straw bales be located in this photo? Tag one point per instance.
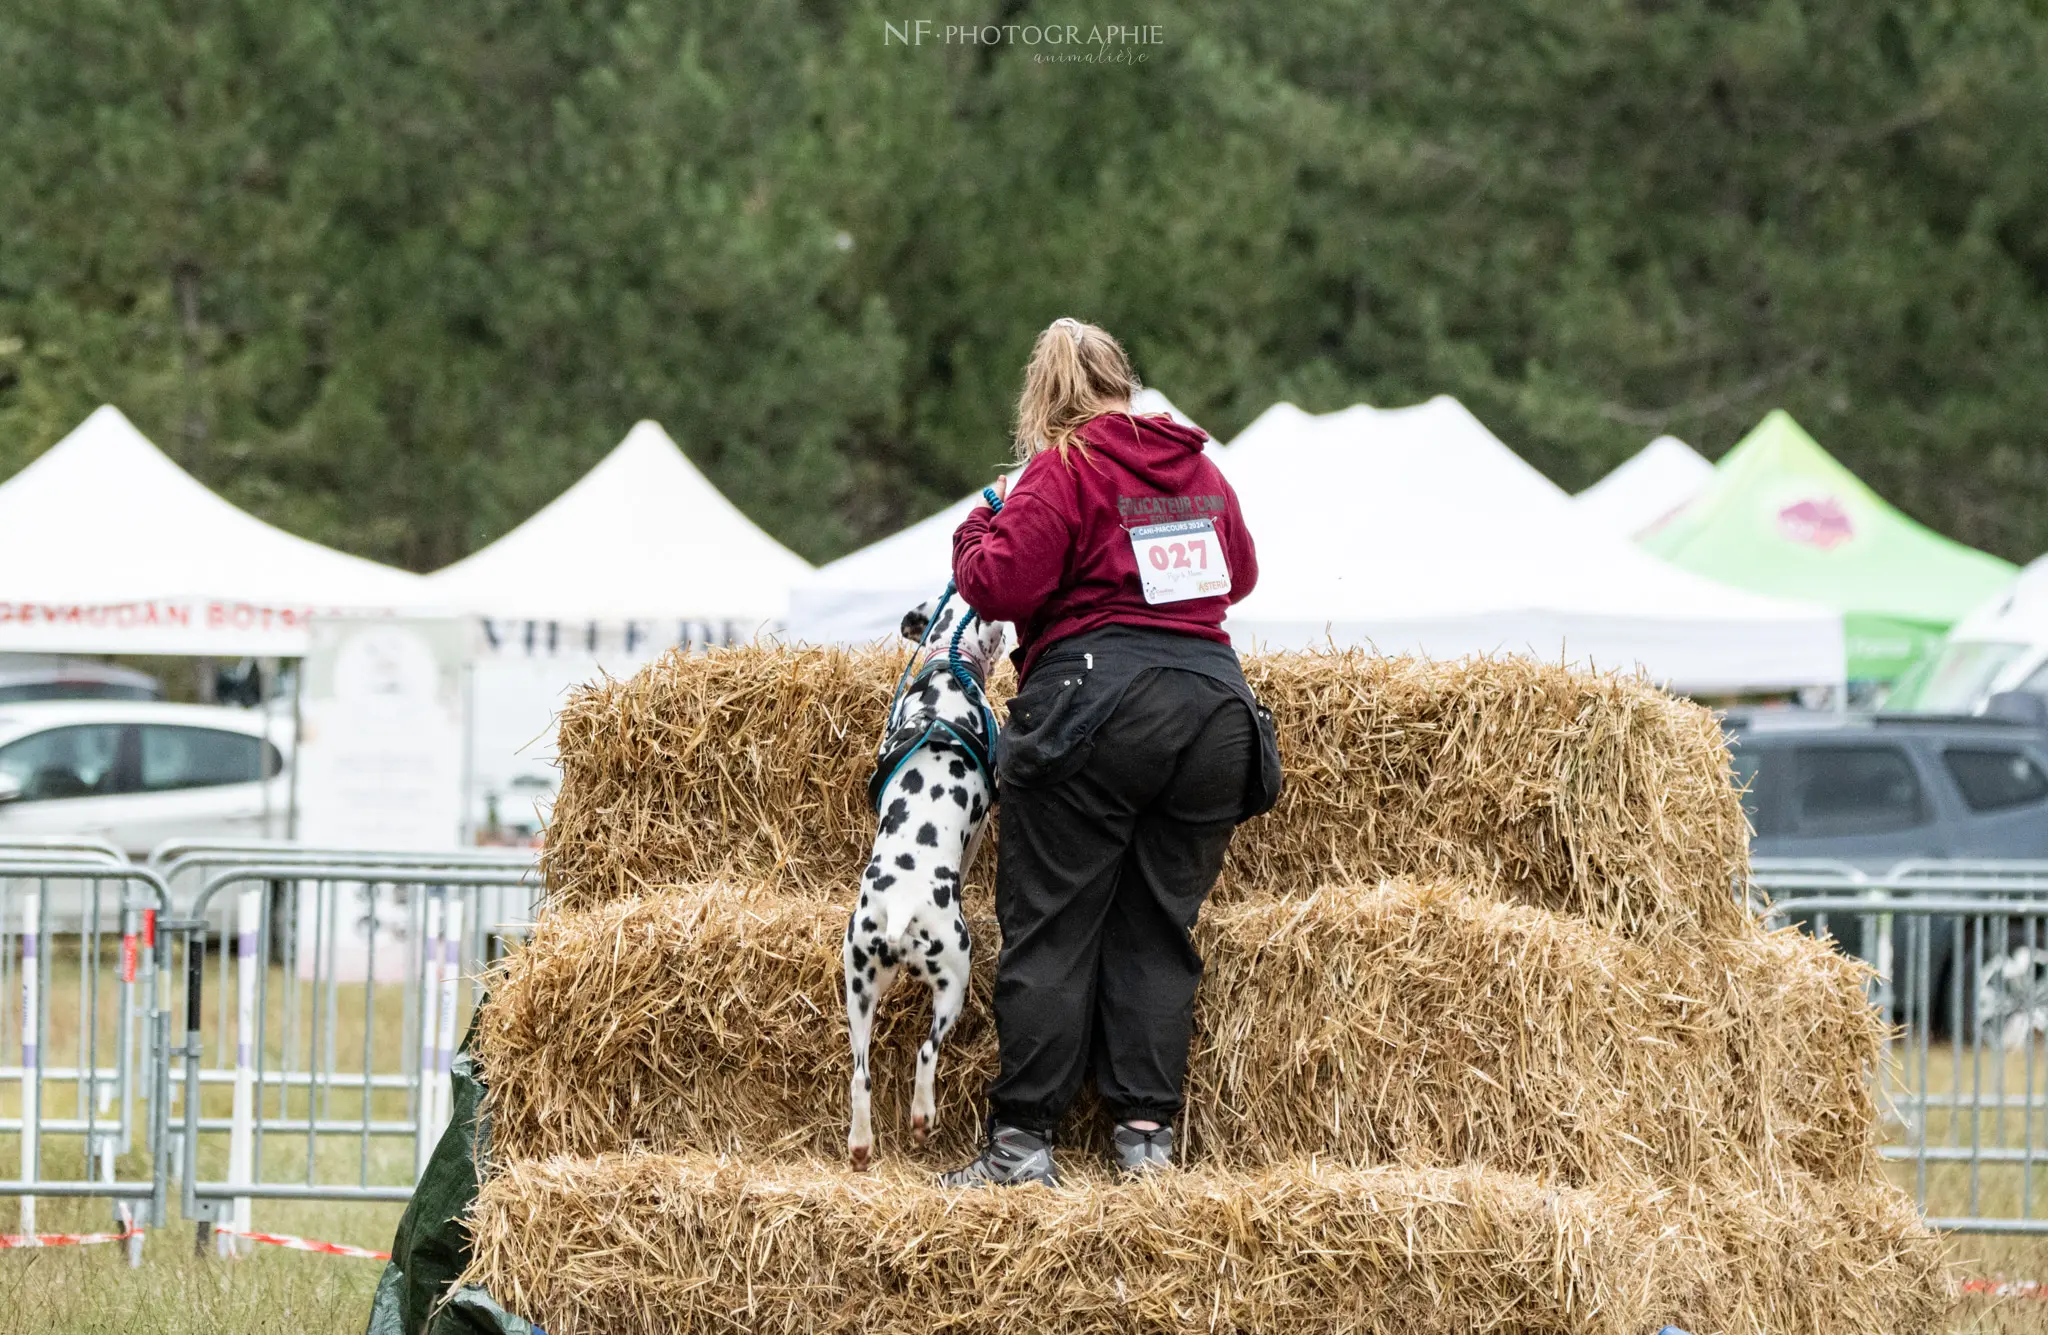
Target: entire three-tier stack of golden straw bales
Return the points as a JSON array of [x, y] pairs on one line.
[[1484, 1043]]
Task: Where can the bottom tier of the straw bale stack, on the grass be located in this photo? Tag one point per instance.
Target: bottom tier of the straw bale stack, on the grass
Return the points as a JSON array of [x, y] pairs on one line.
[[697, 1244]]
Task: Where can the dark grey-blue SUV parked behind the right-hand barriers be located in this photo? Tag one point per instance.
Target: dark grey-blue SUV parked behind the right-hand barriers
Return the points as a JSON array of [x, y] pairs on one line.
[[1879, 791]]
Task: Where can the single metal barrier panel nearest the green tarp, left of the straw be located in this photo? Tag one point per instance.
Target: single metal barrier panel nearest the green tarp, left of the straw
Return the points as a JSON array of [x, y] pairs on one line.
[[337, 1027]]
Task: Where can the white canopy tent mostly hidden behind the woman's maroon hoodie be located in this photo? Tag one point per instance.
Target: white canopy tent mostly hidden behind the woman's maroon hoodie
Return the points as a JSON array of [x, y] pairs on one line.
[[863, 597]]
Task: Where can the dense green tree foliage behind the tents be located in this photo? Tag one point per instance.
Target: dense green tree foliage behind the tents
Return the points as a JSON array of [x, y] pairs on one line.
[[394, 273]]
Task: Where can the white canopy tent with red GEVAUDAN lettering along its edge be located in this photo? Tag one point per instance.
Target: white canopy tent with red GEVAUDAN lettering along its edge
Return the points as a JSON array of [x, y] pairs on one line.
[[112, 548]]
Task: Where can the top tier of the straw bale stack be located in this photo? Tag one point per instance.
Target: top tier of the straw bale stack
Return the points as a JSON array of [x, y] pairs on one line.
[[1594, 795]]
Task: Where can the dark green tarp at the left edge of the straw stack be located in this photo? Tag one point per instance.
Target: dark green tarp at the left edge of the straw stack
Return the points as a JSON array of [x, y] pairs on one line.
[[433, 1246]]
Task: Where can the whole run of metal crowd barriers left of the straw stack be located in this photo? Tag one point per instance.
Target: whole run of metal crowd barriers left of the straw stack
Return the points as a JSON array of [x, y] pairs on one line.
[[312, 1064]]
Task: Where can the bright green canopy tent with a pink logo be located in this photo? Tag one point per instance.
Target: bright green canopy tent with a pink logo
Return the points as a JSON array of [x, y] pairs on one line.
[[1781, 517]]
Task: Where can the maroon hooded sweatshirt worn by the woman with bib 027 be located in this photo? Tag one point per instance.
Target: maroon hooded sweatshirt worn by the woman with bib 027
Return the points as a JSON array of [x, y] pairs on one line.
[[1060, 558]]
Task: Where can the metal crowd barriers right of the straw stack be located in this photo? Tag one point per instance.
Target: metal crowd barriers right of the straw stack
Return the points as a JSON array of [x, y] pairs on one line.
[[1961, 955]]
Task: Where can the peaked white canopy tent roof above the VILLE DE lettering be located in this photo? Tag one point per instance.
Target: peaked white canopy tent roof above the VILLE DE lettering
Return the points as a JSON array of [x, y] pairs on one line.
[[640, 537]]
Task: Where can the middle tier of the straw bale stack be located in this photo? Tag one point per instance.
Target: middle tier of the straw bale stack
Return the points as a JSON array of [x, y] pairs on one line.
[[1363, 1025]]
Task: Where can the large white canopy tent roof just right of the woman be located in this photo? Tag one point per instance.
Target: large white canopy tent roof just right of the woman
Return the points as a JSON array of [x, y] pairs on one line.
[[1420, 533]]
